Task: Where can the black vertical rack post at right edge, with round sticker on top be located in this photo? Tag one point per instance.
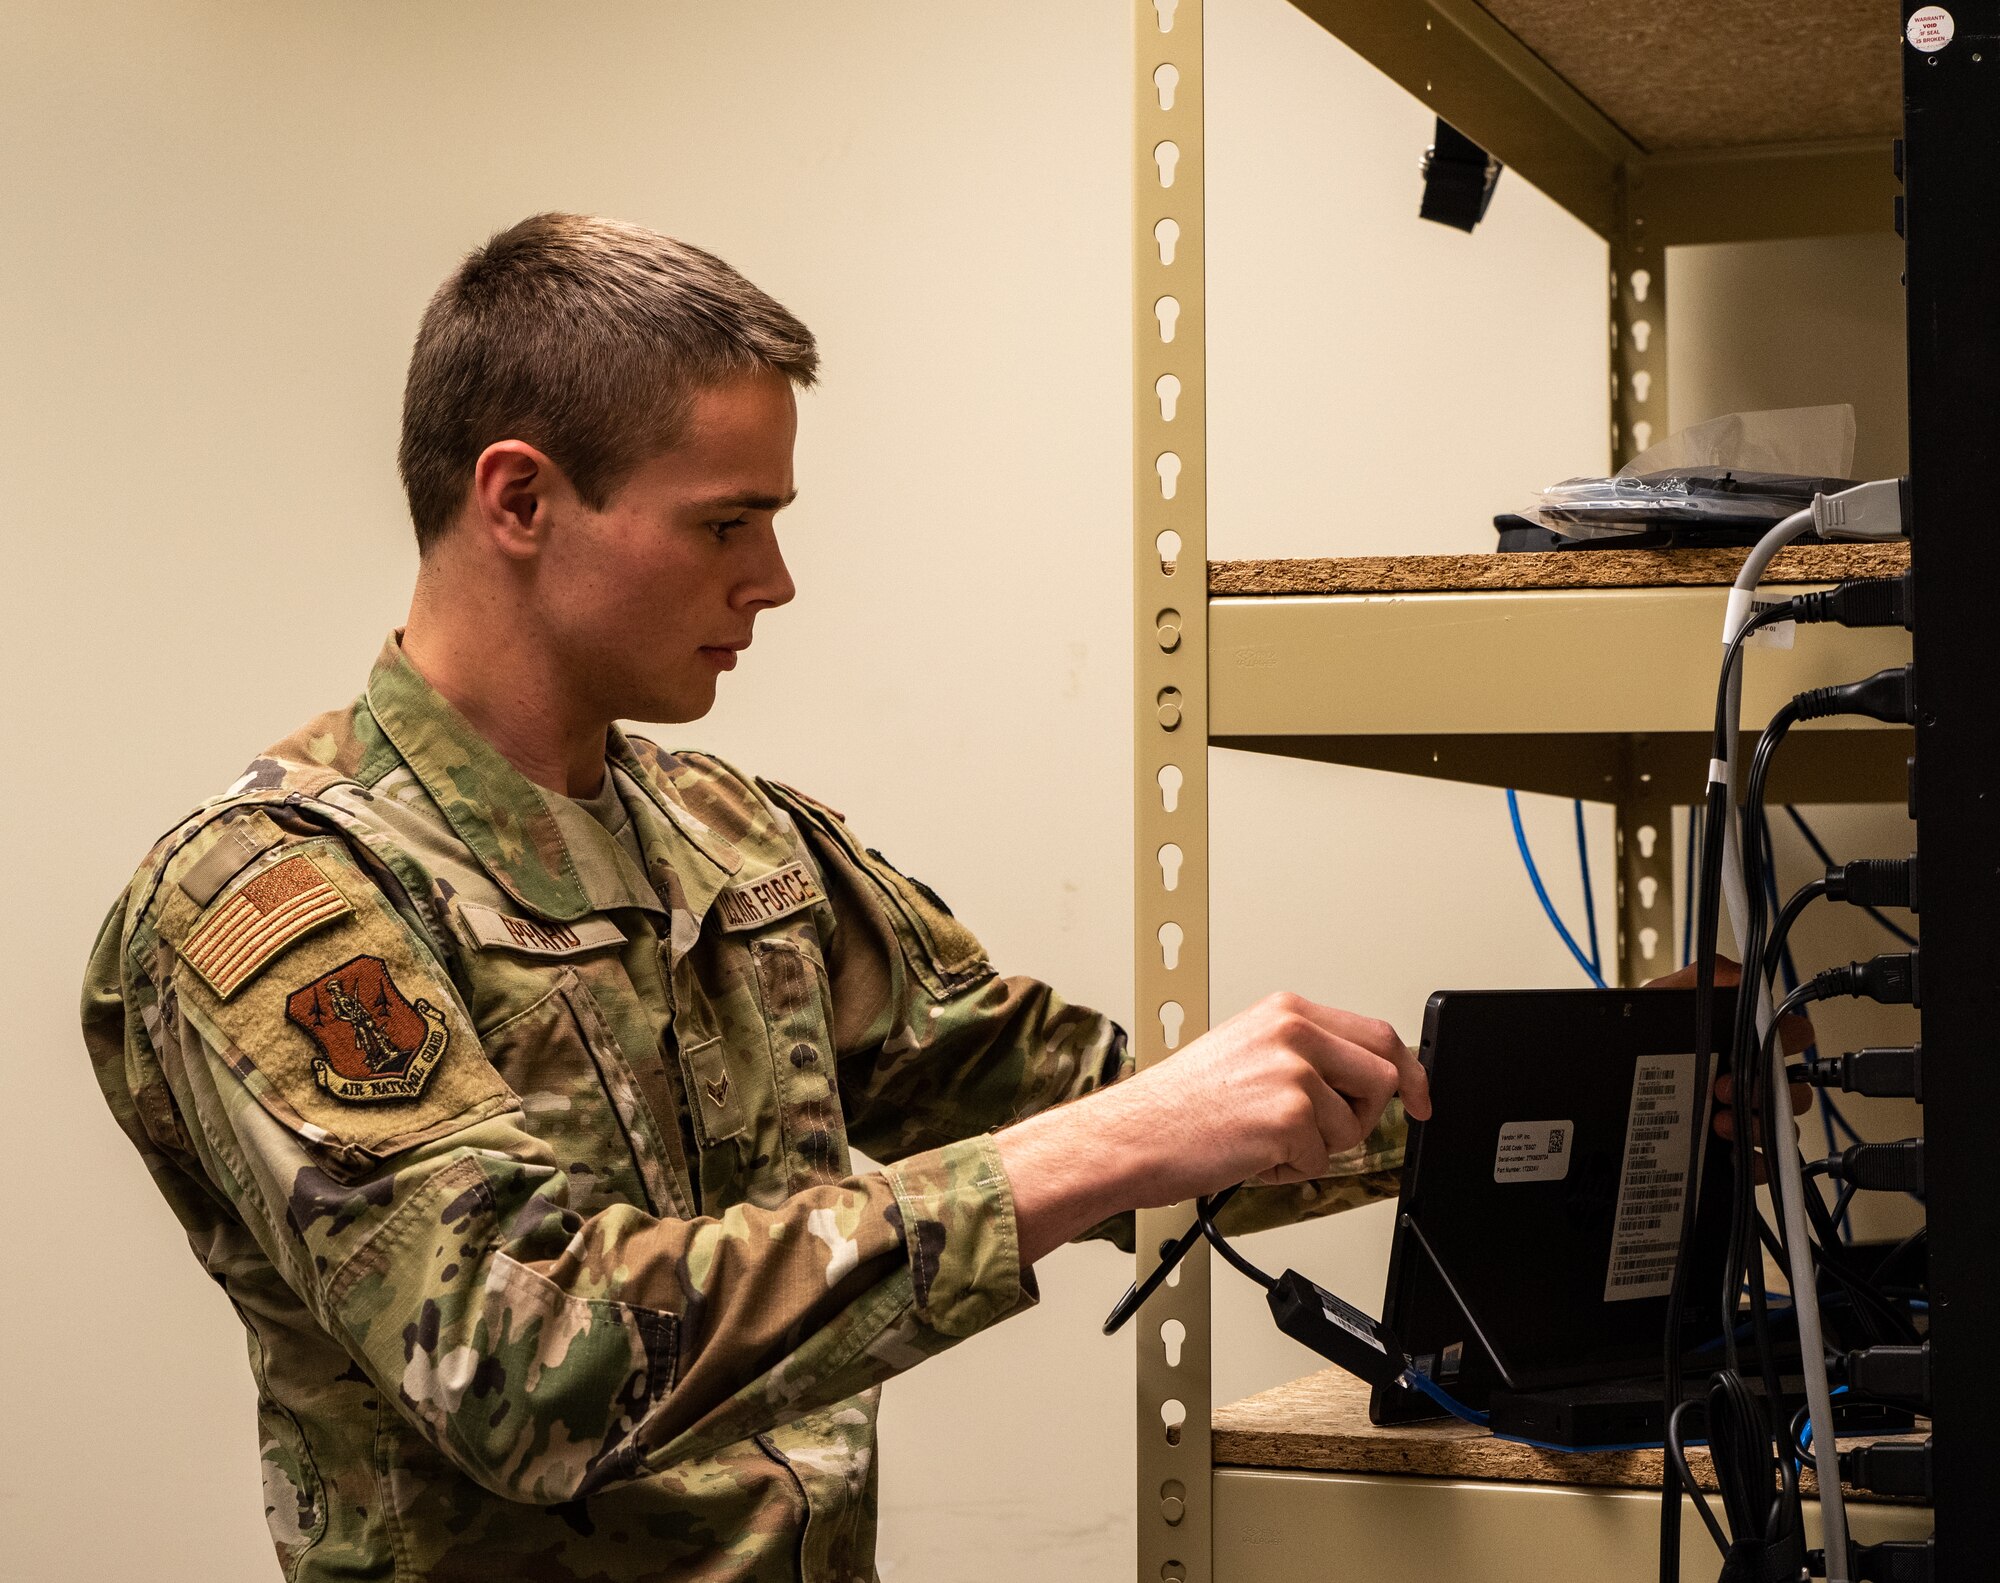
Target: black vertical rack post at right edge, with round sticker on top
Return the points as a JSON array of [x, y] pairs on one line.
[[1953, 235]]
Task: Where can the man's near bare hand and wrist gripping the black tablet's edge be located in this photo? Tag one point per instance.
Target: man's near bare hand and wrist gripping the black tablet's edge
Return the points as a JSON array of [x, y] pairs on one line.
[[1267, 1096]]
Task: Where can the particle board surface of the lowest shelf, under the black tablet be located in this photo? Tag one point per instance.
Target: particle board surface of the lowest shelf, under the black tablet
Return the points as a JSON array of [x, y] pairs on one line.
[[1321, 1424]]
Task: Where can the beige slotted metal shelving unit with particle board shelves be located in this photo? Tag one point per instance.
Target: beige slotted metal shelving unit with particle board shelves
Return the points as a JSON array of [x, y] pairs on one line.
[[1657, 127]]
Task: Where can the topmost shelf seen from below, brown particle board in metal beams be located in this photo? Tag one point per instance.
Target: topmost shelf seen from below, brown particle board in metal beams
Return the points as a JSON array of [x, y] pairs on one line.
[[1705, 121]]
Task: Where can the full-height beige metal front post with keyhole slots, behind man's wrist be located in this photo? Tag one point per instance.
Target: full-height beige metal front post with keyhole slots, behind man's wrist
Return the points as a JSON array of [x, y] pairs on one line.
[[1171, 743]]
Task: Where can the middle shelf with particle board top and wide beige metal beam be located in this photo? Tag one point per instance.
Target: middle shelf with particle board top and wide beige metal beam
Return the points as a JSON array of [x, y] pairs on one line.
[[1569, 673]]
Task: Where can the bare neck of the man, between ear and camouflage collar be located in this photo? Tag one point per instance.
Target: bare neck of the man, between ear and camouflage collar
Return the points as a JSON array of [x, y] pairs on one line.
[[511, 697]]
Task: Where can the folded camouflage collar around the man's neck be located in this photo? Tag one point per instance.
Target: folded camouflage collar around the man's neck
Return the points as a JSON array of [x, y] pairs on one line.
[[543, 850]]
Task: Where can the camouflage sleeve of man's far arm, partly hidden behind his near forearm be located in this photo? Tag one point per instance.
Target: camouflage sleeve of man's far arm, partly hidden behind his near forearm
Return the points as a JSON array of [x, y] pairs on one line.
[[933, 1042]]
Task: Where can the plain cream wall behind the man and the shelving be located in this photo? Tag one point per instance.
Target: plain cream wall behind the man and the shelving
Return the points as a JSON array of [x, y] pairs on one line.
[[221, 223]]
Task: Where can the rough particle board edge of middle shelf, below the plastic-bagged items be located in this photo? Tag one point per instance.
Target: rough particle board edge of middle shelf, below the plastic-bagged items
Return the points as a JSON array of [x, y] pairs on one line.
[[1559, 569]]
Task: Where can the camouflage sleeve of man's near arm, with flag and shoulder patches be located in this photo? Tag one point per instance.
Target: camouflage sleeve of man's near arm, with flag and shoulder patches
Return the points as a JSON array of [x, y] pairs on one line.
[[327, 1084]]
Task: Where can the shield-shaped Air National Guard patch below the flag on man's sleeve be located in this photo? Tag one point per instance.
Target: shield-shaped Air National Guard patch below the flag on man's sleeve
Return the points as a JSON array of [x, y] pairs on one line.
[[375, 1044]]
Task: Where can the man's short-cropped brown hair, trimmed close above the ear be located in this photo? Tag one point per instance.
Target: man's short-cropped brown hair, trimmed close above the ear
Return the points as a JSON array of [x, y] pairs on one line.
[[587, 339]]
